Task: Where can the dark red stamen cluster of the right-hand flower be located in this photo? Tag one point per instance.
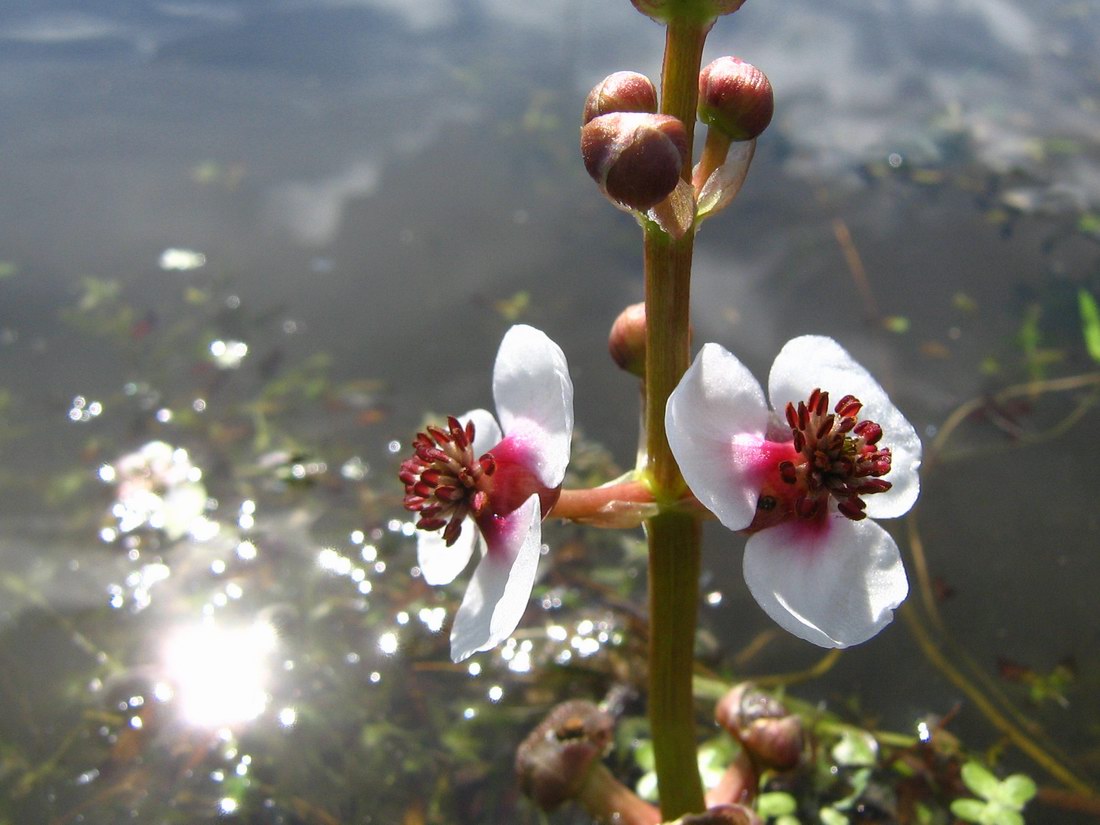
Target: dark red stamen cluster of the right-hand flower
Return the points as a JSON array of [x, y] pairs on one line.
[[840, 457]]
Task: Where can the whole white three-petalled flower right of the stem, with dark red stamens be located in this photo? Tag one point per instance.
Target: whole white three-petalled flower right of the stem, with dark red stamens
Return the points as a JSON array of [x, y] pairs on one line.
[[797, 482]]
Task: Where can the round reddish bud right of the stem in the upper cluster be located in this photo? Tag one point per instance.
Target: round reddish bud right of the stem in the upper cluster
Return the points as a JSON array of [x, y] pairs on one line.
[[736, 98]]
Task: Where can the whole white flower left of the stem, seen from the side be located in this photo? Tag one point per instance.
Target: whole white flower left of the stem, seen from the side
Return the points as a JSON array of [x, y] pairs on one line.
[[501, 481]]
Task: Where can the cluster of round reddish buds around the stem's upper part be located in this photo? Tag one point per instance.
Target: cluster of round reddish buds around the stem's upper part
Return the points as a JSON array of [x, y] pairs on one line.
[[639, 158]]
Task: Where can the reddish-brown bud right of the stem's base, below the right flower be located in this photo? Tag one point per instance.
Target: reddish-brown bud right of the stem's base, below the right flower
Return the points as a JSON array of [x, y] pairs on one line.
[[769, 734]]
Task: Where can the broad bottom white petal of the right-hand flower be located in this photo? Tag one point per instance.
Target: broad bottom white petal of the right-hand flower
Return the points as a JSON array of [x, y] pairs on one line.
[[834, 587]]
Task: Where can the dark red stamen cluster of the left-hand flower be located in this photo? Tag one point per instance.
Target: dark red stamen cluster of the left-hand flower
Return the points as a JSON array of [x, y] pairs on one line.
[[444, 481]]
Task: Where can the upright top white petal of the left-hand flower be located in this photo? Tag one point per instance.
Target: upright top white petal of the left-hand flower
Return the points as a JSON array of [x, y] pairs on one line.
[[534, 398]]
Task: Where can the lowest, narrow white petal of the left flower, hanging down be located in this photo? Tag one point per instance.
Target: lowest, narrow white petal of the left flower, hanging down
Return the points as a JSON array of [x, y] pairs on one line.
[[501, 587]]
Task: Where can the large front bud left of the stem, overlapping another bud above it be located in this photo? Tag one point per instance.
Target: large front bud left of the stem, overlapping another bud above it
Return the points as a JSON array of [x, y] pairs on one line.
[[635, 158]]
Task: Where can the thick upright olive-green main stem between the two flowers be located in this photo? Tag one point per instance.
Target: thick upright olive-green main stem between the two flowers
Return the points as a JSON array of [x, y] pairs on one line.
[[674, 536]]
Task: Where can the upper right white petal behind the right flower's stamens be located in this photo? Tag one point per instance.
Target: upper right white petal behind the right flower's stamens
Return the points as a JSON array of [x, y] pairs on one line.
[[810, 362]]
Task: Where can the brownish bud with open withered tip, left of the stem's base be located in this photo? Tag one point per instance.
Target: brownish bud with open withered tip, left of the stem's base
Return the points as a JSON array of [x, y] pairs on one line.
[[554, 762]]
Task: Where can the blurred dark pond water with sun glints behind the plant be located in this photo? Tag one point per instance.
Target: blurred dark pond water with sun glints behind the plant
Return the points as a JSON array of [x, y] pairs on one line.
[[278, 236]]
